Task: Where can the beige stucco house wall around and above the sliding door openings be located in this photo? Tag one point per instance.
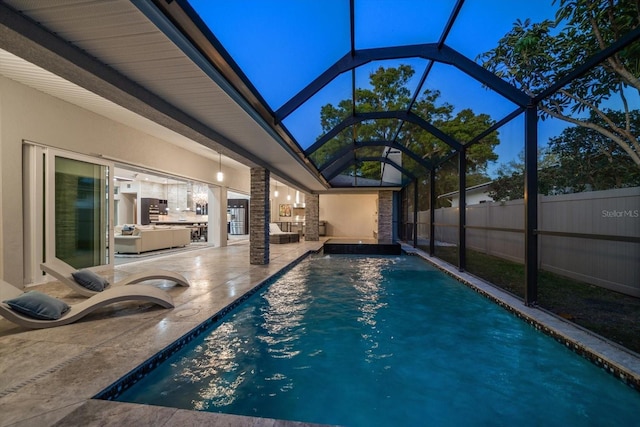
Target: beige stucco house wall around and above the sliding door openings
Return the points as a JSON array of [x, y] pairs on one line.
[[27, 114]]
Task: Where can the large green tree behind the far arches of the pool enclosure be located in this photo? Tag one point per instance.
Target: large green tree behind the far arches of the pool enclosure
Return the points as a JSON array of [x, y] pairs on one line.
[[389, 92]]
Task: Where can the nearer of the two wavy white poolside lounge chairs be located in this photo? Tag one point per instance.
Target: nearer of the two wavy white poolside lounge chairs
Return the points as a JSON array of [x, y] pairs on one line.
[[112, 295]]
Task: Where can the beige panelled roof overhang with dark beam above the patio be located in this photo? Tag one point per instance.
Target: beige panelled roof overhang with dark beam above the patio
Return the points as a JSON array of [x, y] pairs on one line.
[[116, 56]]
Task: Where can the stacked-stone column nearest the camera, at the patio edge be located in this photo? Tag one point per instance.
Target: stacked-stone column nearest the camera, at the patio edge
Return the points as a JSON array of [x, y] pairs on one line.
[[259, 215]]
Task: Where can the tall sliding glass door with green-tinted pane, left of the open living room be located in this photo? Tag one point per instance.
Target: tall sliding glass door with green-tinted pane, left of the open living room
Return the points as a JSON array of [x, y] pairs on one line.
[[67, 209]]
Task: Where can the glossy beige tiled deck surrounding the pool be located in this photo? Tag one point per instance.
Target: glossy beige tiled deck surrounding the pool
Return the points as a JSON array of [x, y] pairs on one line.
[[48, 376]]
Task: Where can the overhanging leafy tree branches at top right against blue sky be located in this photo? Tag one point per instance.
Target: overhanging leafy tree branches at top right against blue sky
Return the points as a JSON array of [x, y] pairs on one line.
[[534, 56]]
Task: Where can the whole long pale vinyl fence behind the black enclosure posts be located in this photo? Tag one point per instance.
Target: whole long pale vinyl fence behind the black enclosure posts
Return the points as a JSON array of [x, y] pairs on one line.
[[607, 263]]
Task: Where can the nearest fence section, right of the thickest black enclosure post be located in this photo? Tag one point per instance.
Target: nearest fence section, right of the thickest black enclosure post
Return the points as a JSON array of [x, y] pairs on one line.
[[610, 264]]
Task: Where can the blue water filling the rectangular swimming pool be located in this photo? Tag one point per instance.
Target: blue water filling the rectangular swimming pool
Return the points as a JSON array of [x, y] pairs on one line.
[[384, 341]]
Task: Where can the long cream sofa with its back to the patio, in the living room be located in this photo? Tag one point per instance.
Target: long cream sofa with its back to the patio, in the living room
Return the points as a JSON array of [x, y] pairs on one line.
[[144, 238]]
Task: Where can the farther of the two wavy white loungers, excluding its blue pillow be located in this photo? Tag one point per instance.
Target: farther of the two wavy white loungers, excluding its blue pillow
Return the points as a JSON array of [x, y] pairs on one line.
[[64, 273]]
